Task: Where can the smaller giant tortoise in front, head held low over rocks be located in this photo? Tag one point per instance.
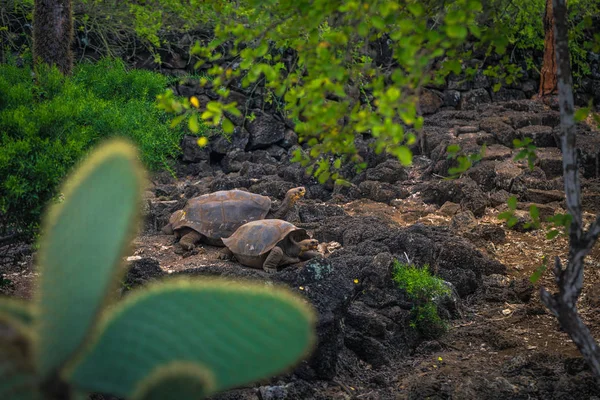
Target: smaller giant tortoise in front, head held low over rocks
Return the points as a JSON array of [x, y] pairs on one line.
[[269, 243]]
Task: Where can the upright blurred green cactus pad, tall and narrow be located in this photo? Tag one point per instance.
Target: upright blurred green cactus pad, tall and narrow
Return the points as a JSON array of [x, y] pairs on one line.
[[84, 239]]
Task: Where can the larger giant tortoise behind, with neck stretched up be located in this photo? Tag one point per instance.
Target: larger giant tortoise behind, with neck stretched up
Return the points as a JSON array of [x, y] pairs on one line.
[[213, 216]]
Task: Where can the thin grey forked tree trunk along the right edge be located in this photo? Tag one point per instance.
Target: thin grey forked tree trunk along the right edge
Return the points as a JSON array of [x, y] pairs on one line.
[[570, 280]]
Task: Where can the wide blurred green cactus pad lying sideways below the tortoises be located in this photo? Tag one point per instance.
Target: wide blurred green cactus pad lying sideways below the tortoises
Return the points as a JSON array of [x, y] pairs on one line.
[[239, 331]]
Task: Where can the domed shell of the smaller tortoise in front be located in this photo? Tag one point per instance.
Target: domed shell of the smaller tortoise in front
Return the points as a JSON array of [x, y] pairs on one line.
[[258, 237]]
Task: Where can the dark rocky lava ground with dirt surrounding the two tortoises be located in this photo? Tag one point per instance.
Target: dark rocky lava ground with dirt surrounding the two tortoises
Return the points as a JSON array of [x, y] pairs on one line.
[[501, 342]]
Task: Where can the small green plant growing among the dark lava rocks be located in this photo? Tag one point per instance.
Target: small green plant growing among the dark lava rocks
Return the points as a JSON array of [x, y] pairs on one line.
[[422, 288]]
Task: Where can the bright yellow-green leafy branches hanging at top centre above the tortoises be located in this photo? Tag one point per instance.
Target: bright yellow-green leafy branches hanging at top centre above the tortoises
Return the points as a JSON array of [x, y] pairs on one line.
[[327, 40]]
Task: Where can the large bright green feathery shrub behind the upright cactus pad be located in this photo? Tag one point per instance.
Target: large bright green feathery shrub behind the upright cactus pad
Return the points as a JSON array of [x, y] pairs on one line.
[[48, 122]]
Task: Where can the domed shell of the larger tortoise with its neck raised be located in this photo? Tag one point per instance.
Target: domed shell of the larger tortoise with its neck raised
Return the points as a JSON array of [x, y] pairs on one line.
[[217, 215]]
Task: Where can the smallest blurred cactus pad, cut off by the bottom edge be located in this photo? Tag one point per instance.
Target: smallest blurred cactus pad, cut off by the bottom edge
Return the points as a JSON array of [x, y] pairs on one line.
[[178, 380]]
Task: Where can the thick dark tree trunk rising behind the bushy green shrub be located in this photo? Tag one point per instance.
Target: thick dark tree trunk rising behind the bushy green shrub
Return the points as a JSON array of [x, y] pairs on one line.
[[53, 34]]
